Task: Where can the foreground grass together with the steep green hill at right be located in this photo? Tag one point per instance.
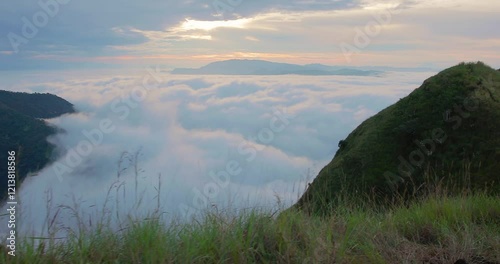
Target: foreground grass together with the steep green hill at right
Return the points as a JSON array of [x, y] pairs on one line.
[[427, 220]]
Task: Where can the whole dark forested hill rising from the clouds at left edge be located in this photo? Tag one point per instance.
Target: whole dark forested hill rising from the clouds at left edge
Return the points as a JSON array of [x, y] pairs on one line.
[[21, 131]]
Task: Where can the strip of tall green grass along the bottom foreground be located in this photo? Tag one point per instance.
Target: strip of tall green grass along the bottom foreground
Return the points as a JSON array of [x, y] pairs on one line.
[[438, 229]]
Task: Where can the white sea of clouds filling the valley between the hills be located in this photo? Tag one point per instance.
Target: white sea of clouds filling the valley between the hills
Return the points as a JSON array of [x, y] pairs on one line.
[[145, 141]]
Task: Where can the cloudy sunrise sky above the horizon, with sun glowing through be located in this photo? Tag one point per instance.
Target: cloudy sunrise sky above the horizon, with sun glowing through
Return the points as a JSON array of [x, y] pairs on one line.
[[67, 34]]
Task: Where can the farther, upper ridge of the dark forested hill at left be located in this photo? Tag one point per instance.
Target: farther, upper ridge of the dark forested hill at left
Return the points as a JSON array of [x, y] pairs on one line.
[[36, 105]]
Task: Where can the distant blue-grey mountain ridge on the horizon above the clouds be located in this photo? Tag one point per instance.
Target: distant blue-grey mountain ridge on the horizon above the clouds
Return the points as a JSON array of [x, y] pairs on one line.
[[261, 67]]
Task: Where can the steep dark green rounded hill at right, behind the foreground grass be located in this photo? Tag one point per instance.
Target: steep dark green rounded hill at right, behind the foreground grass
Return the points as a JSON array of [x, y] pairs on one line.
[[451, 121]]
